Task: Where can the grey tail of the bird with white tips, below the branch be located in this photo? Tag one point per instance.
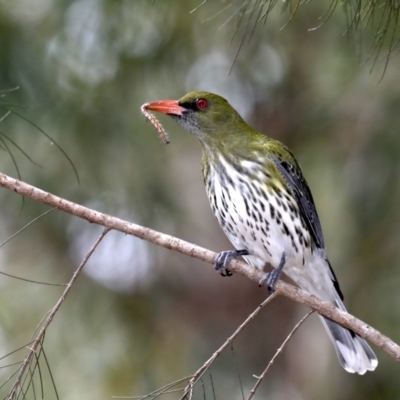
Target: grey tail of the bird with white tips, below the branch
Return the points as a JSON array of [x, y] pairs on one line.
[[353, 351]]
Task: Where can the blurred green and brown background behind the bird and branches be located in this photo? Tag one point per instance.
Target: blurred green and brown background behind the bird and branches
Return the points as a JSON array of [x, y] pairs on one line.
[[141, 316]]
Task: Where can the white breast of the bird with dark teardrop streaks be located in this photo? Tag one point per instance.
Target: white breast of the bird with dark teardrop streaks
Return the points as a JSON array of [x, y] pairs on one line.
[[256, 212]]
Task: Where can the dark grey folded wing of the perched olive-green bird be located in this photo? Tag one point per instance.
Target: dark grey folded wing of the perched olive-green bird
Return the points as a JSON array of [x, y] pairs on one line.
[[294, 177]]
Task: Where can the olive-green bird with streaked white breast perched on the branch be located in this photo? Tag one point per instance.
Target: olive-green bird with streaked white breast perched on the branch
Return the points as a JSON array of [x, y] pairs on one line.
[[263, 204]]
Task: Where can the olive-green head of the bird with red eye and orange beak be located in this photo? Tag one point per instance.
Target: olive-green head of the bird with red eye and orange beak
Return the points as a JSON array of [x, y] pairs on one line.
[[206, 115]]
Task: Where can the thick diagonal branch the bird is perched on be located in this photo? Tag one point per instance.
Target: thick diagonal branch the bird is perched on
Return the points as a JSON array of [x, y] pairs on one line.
[[200, 253]]
